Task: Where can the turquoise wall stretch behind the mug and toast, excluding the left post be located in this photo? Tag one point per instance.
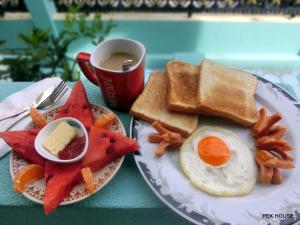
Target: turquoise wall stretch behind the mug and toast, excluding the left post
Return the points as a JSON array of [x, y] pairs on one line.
[[236, 43]]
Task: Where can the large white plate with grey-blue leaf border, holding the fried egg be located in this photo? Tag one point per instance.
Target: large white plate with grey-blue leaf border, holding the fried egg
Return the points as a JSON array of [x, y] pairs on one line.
[[265, 204]]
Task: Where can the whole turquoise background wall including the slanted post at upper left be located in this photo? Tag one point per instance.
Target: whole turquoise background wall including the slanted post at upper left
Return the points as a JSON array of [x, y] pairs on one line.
[[243, 44]]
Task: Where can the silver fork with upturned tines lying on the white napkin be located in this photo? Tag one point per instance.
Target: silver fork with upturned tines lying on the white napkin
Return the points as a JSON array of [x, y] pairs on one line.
[[55, 96]]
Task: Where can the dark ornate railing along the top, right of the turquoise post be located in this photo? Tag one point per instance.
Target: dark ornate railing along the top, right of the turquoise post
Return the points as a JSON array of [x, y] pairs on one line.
[[291, 7]]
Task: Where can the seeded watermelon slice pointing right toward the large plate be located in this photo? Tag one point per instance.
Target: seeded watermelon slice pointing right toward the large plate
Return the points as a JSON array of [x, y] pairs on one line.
[[105, 146]]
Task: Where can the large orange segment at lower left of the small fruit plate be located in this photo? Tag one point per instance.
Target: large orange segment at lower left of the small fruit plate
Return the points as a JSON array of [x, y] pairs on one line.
[[27, 175]]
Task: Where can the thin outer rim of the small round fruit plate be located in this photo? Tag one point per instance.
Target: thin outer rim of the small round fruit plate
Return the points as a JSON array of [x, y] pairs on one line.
[[68, 202]]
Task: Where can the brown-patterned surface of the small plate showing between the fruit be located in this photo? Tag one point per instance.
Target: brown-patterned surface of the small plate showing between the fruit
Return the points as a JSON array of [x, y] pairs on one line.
[[35, 191]]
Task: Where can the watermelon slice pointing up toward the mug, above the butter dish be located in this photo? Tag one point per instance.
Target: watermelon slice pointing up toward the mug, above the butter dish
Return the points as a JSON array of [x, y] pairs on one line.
[[78, 106]]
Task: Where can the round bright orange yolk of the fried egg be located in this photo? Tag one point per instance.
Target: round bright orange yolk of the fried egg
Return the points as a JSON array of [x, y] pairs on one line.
[[213, 151]]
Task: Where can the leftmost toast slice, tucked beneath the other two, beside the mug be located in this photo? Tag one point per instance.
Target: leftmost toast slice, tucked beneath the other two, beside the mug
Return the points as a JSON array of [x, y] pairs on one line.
[[151, 105]]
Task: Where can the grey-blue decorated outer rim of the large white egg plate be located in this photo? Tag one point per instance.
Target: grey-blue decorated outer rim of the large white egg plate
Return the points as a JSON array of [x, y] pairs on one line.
[[162, 197]]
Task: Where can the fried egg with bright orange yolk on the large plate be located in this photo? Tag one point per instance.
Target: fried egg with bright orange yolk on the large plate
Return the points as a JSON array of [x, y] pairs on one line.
[[216, 161]]
